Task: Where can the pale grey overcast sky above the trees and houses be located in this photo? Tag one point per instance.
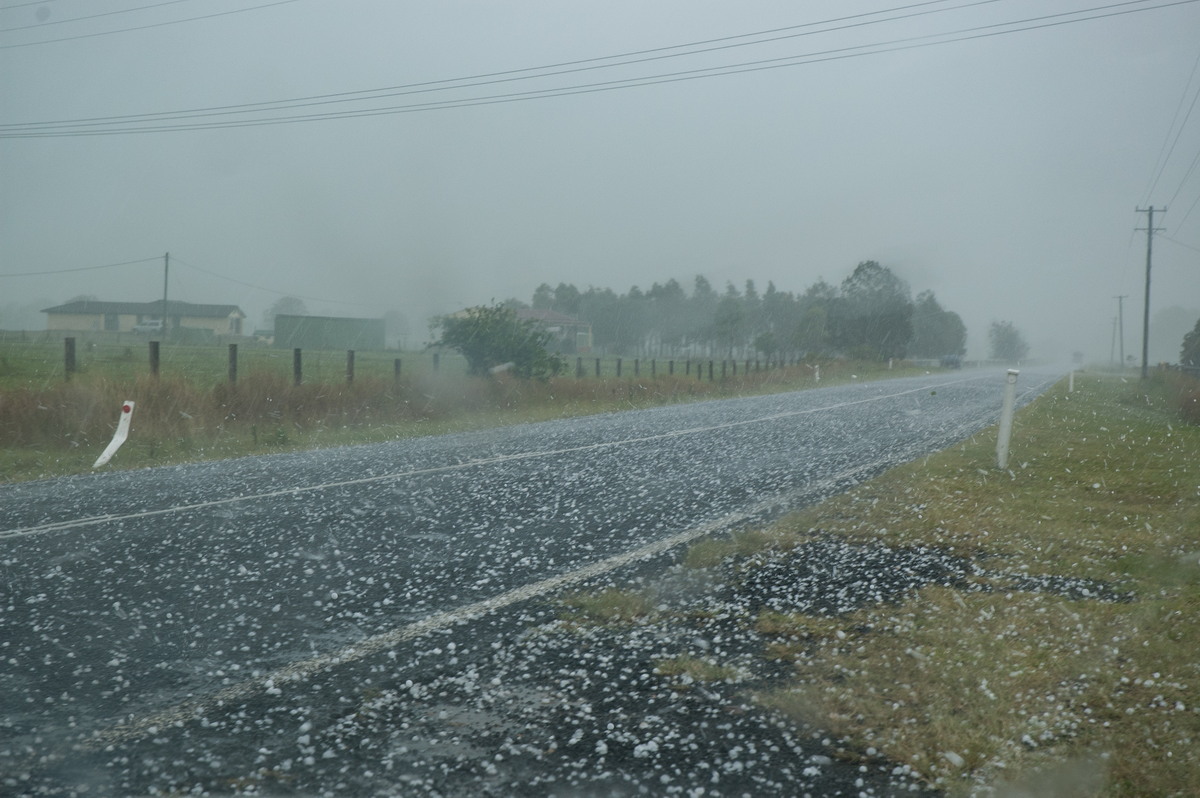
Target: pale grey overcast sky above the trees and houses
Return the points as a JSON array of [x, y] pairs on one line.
[[1001, 172]]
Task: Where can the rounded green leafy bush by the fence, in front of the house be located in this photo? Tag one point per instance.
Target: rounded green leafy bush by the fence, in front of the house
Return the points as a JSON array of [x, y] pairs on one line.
[[490, 338]]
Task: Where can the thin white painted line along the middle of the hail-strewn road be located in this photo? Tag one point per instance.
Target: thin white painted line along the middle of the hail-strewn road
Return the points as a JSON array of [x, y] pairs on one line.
[[62, 526]]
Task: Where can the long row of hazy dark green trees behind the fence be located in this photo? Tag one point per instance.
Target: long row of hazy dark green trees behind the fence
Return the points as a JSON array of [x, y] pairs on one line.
[[871, 316]]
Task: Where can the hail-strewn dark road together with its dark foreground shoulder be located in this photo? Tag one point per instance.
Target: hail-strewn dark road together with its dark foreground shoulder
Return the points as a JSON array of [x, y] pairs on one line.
[[273, 625]]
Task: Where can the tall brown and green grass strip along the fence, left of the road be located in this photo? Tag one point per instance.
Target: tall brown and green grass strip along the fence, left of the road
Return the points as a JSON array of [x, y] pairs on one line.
[[53, 428]]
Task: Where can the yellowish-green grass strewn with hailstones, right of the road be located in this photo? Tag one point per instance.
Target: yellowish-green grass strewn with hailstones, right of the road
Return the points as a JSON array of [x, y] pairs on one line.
[[1013, 685]]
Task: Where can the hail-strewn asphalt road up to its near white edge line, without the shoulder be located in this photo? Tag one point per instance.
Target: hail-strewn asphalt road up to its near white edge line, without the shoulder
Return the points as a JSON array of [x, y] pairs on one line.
[[135, 602]]
